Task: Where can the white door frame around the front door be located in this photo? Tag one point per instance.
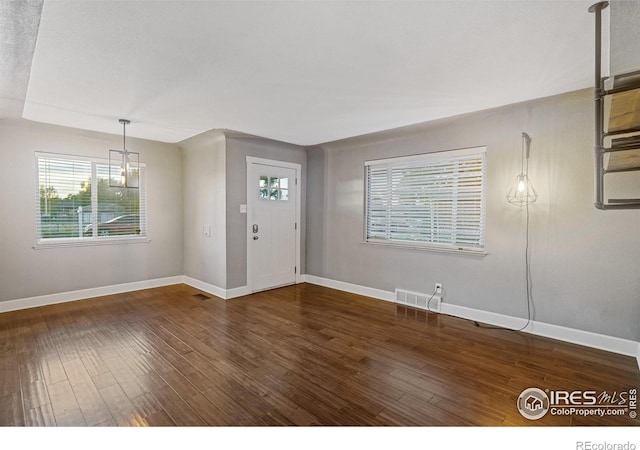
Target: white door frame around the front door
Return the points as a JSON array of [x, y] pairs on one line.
[[250, 203]]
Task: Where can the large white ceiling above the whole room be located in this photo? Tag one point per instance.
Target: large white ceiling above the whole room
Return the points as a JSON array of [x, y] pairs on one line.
[[303, 72]]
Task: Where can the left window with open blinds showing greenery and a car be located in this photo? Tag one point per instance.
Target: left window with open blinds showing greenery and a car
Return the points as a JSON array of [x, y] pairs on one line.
[[76, 205]]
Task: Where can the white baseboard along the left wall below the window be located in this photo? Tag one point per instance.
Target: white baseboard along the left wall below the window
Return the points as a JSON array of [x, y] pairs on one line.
[[83, 294]]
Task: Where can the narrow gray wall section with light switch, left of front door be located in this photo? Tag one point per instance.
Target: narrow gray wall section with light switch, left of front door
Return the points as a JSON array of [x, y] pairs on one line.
[[204, 200]]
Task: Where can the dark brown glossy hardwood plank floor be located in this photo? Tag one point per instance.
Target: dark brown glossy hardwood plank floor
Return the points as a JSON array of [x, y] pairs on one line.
[[300, 355]]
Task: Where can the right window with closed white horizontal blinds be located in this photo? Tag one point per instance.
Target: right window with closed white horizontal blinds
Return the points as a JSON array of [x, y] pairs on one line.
[[435, 200]]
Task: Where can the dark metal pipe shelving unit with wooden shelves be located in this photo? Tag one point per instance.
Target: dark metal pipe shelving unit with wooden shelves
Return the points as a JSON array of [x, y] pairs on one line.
[[617, 140]]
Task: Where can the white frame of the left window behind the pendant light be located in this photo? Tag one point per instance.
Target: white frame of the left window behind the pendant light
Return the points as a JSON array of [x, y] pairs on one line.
[[45, 243]]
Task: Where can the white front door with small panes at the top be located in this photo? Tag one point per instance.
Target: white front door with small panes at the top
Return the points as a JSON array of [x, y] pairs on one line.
[[271, 226]]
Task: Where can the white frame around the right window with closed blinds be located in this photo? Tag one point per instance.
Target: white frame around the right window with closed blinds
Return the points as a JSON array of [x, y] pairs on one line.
[[429, 159]]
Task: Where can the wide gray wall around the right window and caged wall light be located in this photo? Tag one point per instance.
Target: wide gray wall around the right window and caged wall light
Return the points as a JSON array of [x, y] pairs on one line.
[[584, 262]]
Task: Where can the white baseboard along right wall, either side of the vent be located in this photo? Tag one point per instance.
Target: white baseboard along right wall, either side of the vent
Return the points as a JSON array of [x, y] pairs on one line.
[[586, 338]]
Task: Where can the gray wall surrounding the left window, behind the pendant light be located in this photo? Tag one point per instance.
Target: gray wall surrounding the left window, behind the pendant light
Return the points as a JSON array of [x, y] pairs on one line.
[[25, 272]]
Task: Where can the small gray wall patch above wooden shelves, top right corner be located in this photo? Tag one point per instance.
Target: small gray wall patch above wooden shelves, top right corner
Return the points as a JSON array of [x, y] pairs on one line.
[[625, 36]]
